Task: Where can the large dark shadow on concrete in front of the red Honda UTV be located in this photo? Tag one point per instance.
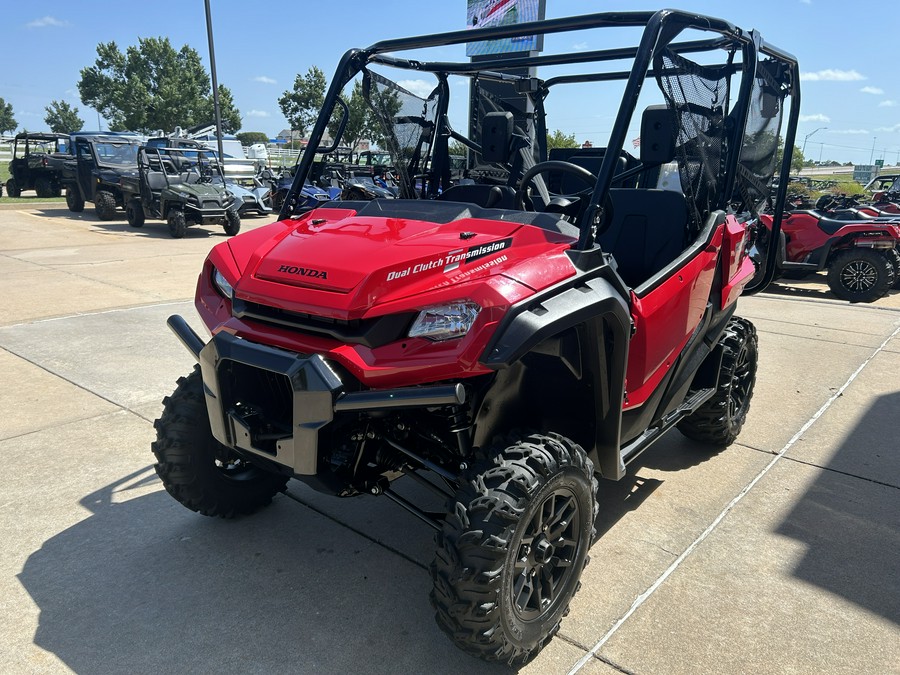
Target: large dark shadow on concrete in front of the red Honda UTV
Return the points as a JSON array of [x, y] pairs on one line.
[[143, 585]]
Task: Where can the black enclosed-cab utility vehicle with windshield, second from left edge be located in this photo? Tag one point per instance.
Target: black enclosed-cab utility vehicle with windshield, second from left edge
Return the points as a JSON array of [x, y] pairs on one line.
[[94, 172]]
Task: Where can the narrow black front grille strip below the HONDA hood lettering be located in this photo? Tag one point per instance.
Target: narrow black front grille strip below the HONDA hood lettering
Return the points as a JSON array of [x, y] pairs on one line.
[[368, 332]]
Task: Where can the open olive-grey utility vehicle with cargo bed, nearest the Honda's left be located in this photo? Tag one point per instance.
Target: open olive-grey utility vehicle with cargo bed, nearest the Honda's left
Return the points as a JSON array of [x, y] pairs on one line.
[[180, 190]]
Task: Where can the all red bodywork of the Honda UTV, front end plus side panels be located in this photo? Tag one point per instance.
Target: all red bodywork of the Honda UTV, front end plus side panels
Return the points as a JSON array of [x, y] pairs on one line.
[[332, 263]]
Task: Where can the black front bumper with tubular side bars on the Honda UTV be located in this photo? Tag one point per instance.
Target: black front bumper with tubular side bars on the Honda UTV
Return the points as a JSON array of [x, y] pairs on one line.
[[274, 403]]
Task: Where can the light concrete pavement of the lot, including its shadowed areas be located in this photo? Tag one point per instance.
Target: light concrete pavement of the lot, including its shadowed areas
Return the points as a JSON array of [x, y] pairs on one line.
[[777, 555]]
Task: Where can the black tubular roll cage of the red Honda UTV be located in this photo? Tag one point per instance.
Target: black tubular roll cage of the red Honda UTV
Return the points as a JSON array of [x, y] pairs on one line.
[[660, 30]]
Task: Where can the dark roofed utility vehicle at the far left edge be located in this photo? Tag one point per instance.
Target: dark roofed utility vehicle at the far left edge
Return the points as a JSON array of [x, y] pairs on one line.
[[35, 164]]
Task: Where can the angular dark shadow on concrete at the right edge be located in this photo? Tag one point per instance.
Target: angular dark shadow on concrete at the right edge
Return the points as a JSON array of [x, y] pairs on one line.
[[850, 524]]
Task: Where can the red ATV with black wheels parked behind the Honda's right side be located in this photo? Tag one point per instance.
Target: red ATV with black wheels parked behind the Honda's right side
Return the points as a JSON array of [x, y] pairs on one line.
[[858, 250]]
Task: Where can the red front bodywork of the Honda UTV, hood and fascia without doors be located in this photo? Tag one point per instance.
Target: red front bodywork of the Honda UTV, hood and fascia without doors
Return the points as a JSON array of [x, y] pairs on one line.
[[331, 263]]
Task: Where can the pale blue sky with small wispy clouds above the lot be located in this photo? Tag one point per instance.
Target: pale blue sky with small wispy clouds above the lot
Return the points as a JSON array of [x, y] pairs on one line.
[[260, 48]]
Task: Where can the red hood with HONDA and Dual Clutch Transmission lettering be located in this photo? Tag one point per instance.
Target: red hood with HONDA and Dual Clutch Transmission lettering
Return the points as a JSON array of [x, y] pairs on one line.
[[336, 259]]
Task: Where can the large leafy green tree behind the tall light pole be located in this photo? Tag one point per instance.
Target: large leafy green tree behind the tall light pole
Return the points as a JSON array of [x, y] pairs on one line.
[[153, 86]]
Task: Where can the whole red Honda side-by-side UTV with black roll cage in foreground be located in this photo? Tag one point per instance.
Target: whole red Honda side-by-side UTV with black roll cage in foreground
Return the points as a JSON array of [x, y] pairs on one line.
[[506, 339]]
